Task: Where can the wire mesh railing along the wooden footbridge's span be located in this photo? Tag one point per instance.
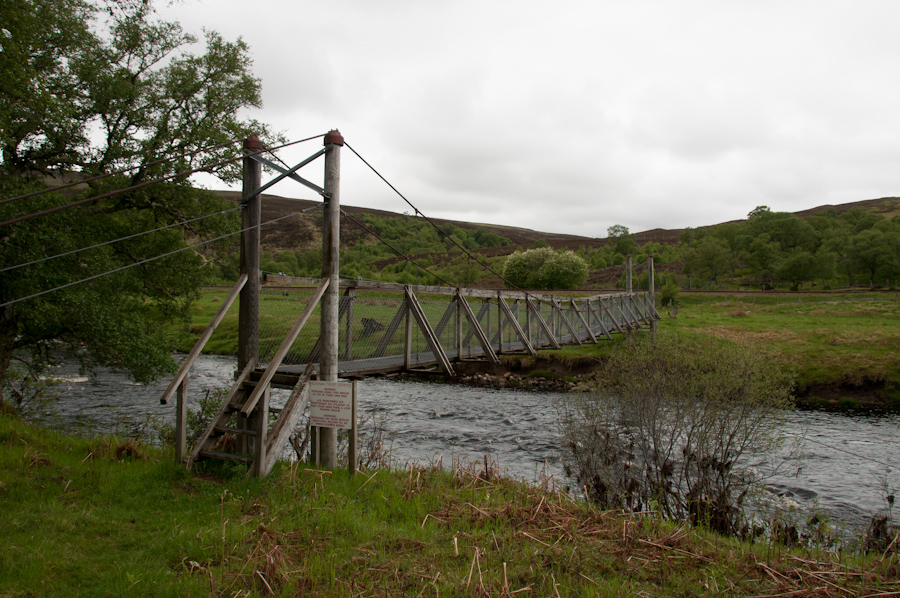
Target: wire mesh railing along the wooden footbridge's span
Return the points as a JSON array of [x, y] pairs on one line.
[[374, 332]]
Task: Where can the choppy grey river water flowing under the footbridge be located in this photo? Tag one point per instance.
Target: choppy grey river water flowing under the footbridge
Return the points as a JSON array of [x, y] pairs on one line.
[[845, 465]]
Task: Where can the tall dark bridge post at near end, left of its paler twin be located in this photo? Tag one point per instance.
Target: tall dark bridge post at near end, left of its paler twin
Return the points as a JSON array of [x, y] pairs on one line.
[[248, 309]]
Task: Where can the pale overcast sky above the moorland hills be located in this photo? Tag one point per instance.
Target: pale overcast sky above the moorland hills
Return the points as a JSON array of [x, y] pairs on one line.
[[573, 116]]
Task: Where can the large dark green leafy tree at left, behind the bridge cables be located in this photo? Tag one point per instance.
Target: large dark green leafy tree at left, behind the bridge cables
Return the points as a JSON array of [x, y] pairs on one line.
[[87, 89]]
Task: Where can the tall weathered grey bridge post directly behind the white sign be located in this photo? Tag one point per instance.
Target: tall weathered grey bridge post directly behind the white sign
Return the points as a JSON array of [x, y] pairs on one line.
[[331, 243]]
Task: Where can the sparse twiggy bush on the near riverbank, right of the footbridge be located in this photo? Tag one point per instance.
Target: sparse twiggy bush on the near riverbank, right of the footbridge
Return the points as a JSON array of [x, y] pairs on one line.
[[672, 425]]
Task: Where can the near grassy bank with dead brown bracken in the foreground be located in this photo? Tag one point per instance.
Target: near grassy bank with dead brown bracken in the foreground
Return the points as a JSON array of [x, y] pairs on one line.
[[103, 517]]
